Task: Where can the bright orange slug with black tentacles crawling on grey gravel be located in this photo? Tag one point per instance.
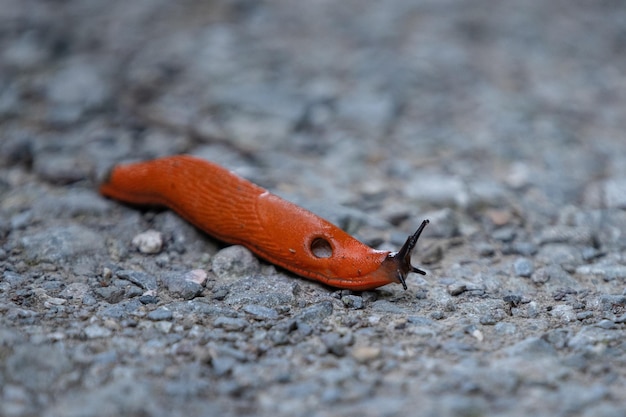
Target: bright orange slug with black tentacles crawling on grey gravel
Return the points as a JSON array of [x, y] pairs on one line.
[[236, 211]]
